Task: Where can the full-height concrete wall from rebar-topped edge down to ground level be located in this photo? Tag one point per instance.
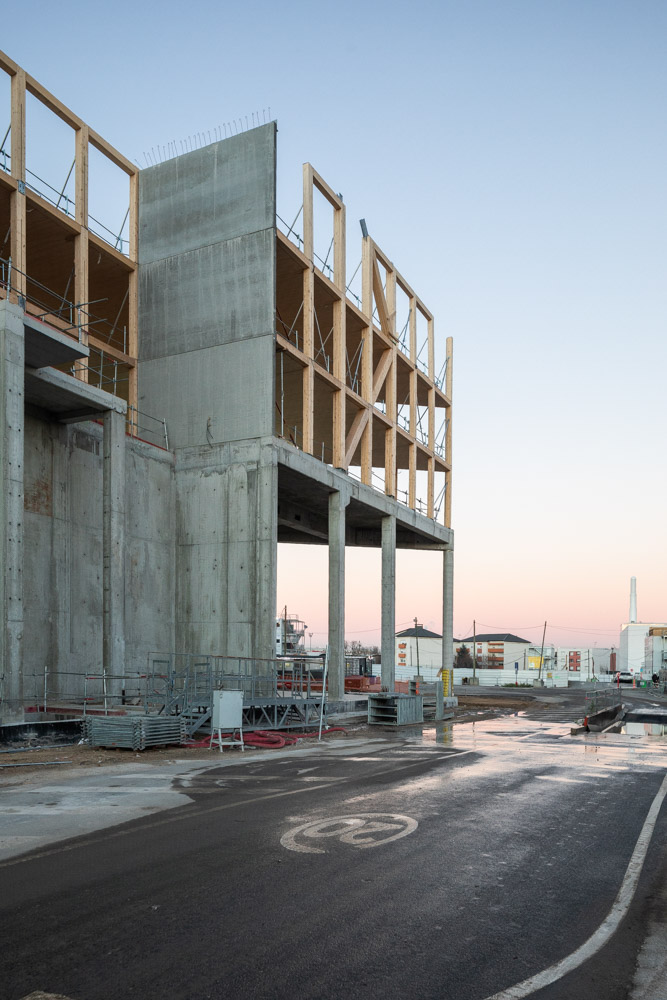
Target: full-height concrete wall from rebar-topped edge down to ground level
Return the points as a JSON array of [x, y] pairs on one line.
[[207, 361]]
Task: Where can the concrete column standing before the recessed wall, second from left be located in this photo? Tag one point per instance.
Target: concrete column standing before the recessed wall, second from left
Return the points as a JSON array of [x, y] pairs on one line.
[[113, 530]]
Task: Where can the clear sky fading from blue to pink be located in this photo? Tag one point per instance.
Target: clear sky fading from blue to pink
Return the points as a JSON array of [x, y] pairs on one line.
[[510, 158]]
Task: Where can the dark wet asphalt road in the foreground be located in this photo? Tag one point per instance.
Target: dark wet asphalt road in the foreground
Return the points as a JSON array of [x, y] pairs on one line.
[[449, 864]]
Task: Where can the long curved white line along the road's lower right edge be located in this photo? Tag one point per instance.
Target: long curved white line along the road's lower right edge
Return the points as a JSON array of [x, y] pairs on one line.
[[609, 925]]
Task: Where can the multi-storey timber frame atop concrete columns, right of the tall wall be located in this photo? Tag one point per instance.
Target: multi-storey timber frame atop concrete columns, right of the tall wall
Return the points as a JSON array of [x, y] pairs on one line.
[[342, 404]]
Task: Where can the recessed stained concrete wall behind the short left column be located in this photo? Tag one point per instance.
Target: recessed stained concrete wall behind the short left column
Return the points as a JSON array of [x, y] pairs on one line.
[[63, 552]]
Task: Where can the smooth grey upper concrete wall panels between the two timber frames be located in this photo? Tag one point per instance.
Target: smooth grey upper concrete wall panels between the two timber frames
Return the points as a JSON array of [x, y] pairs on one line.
[[207, 291]]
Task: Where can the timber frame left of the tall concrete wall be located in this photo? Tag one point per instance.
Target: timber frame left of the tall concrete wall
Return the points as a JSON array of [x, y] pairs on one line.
[[58, 263]]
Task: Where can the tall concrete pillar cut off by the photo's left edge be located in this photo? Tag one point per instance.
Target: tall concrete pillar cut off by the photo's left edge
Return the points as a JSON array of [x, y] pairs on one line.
[[12, 352]]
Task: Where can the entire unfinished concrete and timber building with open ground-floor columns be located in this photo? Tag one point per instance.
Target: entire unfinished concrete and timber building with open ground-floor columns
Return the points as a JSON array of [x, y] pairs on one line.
[[179, 399]]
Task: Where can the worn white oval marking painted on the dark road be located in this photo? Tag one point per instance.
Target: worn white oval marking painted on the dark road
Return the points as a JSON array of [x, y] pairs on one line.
[[362, 830]]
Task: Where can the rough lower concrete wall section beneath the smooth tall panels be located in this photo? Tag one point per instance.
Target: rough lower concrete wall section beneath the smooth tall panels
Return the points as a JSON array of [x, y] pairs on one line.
[[227, 549]]
